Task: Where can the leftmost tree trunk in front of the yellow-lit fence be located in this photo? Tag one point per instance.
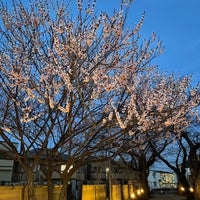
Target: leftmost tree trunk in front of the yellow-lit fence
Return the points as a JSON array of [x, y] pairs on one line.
[[30, 185]]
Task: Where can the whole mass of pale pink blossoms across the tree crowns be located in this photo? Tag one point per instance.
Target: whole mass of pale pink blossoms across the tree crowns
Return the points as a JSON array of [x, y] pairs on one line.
[[58, 63]]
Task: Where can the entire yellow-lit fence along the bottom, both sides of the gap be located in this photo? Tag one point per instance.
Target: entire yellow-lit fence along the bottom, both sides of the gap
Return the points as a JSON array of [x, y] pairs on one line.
[[89, 192]]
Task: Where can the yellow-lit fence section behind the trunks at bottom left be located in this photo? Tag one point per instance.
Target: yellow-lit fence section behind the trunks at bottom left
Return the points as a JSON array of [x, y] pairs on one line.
[[20, 192]]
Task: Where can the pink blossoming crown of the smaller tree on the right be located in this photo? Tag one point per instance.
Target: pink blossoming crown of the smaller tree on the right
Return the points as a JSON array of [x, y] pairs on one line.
[[158, 102]]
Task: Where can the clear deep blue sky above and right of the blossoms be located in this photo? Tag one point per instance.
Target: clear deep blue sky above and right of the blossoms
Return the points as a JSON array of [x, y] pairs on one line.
[[177, 23]]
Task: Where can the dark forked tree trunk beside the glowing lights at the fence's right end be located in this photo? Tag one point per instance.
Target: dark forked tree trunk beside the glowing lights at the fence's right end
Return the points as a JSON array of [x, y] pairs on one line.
[[140, 157]]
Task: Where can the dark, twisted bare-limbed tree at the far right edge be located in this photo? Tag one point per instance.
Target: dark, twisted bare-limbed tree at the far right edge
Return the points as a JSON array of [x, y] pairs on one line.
[[181, 157]]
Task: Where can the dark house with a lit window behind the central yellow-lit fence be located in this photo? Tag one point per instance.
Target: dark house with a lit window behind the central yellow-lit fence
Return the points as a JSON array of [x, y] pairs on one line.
[[99, 173]]
